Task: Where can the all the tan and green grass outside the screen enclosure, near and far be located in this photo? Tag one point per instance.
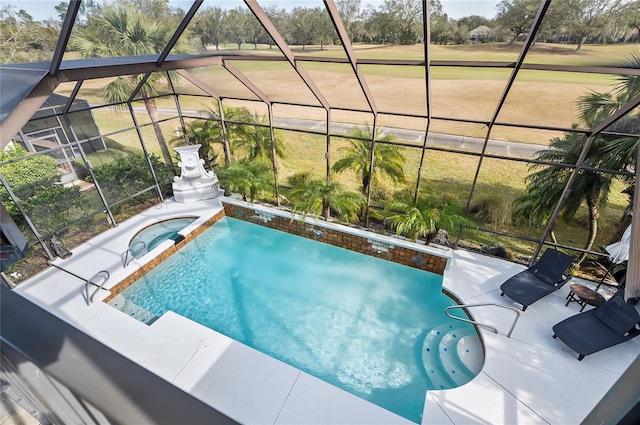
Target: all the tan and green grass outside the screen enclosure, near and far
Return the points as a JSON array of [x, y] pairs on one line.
[[537, 98]]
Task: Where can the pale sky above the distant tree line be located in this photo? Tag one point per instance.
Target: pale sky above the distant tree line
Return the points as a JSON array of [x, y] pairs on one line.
[[41, 10]]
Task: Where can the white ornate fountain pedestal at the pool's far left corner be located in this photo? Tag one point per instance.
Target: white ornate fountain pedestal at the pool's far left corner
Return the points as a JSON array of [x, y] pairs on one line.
[[194, 183]]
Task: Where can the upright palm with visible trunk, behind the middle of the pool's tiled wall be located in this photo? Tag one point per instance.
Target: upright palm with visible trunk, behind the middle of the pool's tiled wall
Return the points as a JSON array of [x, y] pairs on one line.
[[388, 159]]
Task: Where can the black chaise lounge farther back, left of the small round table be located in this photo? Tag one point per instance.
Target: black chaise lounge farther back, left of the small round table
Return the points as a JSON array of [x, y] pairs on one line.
[[539, 280]]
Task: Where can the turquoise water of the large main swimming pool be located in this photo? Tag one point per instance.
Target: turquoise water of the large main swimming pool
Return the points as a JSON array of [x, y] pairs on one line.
[[372, 327]]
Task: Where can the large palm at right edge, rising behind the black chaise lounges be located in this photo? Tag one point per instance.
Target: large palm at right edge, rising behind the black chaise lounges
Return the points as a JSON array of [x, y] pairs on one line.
[[608, 151]]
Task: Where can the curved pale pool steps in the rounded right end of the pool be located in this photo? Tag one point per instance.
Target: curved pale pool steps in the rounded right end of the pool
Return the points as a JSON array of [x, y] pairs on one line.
[[451, 355]]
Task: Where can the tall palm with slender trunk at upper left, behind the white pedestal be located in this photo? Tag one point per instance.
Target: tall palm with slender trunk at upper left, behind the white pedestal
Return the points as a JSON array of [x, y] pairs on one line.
[[128, 33]]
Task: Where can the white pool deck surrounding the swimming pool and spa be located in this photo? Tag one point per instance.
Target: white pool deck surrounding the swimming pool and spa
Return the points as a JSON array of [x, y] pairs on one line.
[[526, 379]]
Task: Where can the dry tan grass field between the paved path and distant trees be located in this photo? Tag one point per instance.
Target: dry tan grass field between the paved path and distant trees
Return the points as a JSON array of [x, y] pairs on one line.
[[466, 93]]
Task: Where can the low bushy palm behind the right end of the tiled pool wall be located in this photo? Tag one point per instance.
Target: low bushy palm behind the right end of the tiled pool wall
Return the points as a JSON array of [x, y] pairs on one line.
[[421, 218]]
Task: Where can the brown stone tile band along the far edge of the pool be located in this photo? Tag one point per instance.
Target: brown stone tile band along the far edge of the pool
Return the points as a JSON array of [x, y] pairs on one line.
[[380, 249]]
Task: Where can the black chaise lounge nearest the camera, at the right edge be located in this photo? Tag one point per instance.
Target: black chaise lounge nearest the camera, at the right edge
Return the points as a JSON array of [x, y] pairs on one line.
[[612, 323]]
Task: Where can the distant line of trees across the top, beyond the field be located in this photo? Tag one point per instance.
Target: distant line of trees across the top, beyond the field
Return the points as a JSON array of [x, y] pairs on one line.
[[393, 22]]
